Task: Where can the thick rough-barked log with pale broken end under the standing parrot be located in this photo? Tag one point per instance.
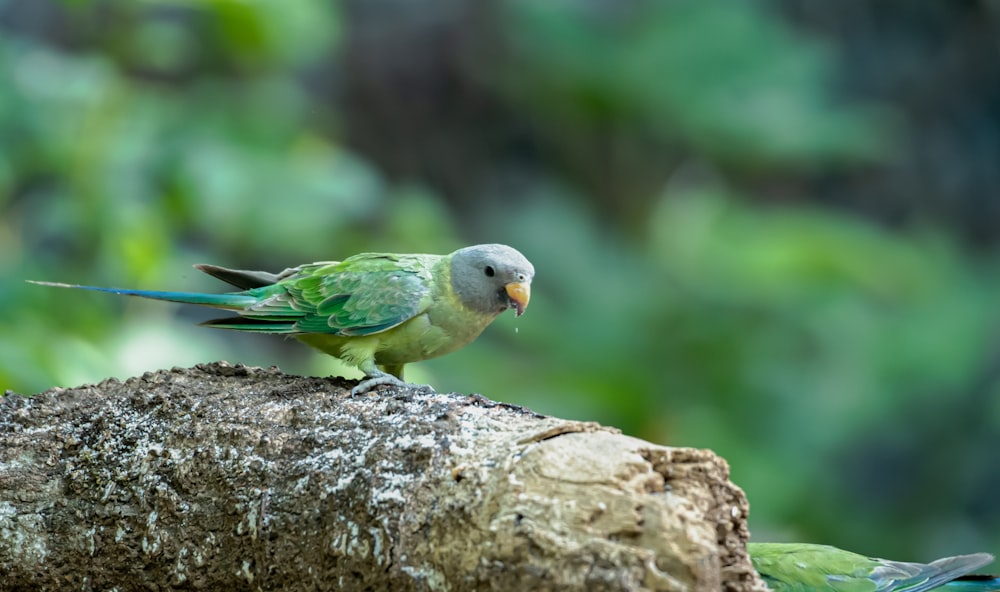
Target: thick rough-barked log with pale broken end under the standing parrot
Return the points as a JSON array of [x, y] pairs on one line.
[[227, 477]]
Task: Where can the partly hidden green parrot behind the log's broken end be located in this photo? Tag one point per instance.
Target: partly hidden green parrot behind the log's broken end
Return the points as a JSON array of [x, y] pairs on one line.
[[801, 567]]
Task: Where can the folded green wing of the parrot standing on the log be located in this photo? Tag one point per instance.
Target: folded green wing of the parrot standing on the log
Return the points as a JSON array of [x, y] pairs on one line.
[[362, 295]]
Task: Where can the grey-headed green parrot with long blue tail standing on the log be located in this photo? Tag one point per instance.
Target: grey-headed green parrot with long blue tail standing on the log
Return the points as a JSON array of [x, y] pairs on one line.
[[376, 311]]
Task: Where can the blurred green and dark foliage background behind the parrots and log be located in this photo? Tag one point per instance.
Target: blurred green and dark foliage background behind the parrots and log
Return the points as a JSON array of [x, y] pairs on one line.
[[766, 228]]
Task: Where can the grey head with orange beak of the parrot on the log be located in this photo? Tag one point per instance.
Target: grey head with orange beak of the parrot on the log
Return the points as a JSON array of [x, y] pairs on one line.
[[492, 278]]
